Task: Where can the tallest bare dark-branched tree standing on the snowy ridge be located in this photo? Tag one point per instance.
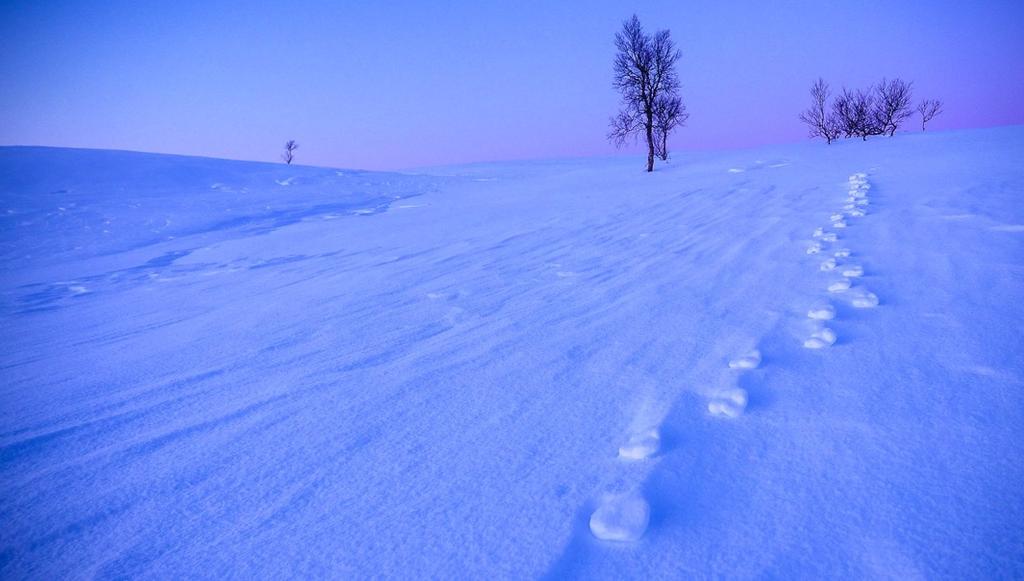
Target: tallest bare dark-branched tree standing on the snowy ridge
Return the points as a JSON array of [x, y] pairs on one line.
[[645, 71]]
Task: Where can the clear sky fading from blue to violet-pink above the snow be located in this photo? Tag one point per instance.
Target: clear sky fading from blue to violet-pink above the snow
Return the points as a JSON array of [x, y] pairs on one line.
[[398, 85]]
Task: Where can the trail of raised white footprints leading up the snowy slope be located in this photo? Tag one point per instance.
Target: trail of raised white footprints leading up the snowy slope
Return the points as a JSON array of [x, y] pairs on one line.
[[624, 517]]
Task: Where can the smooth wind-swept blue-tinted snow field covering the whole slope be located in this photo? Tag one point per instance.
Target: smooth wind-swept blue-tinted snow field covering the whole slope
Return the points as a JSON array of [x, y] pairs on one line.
[[792, 362]]
